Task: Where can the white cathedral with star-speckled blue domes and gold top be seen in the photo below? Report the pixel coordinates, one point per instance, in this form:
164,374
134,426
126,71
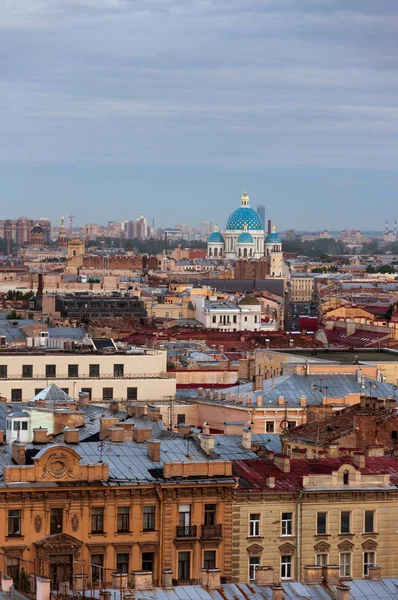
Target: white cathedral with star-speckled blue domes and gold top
244,238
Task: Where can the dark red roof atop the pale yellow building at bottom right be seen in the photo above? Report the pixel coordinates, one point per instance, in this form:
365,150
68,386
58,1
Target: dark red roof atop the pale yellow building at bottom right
253,473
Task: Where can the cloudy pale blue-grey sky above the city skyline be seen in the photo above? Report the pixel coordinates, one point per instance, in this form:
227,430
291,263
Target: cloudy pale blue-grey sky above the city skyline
171,108
